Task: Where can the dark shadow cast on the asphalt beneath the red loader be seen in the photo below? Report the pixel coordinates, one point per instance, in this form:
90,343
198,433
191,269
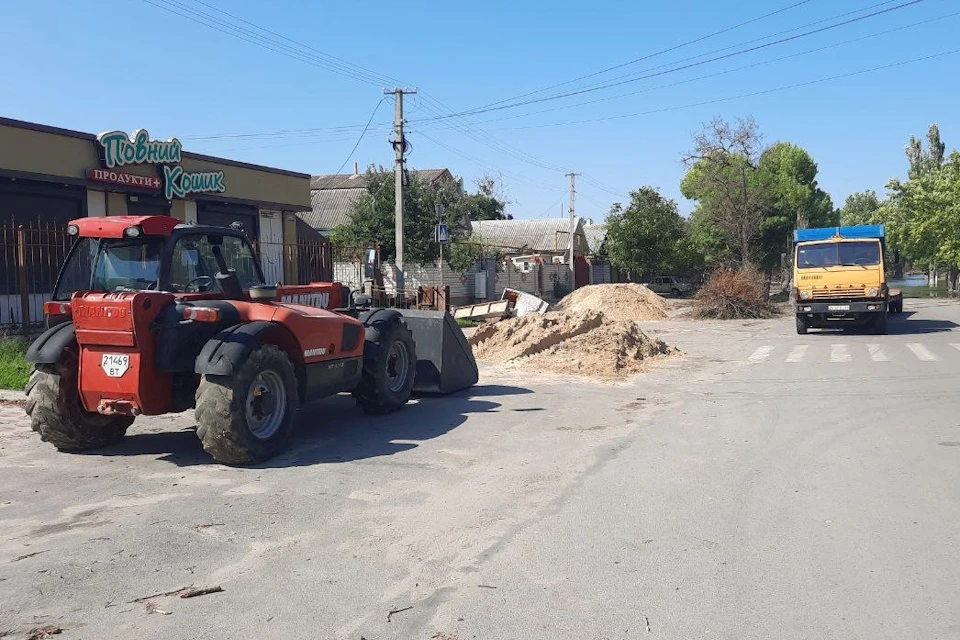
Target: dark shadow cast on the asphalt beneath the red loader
334,430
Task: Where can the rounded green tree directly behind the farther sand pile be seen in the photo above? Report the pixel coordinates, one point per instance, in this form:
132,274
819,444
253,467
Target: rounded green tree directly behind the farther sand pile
645,236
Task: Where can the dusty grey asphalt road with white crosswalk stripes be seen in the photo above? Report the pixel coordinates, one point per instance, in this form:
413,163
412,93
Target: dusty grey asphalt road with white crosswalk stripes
765,485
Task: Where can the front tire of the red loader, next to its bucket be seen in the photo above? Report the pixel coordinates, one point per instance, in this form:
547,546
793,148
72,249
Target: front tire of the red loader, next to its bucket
389,369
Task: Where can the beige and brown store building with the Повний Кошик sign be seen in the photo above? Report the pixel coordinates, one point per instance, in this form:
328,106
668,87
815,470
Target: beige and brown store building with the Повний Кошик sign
52,175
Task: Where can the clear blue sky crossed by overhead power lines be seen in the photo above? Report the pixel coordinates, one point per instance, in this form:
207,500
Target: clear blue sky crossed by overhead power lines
124,64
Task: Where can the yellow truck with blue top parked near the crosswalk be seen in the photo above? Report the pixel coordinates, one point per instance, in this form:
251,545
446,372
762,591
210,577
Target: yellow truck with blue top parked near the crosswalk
840,280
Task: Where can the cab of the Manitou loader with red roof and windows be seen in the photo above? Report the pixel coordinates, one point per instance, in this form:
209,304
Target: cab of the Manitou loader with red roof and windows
185,259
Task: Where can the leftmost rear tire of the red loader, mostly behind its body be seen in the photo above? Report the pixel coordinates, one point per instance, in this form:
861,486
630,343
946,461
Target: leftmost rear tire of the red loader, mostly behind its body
53,404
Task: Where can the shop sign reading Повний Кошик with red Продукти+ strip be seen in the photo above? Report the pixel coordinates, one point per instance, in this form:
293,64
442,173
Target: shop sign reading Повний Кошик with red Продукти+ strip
118,150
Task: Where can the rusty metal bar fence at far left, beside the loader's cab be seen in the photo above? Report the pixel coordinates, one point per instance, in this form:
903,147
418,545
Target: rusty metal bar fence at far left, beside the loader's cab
30,259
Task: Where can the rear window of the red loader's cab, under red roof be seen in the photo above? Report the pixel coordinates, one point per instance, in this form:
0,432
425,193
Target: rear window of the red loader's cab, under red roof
110,265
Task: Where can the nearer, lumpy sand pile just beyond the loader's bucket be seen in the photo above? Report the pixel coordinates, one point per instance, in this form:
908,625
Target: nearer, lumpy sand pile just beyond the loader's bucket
586,343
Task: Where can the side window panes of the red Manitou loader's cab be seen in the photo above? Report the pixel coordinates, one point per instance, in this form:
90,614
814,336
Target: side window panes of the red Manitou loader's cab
193,266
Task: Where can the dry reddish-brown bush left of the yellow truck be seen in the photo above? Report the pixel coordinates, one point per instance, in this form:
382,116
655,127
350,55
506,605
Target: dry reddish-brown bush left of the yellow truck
734,293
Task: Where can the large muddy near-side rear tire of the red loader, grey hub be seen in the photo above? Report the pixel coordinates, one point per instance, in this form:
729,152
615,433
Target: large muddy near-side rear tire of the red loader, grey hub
248,417
